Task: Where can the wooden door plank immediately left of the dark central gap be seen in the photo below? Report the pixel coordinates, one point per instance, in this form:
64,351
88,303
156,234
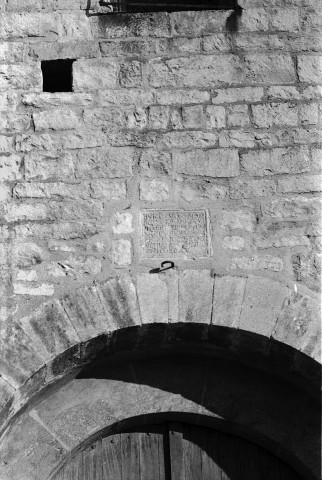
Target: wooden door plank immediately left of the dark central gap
151,454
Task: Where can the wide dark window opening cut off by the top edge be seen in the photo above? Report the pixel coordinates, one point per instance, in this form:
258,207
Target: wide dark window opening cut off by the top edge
136,6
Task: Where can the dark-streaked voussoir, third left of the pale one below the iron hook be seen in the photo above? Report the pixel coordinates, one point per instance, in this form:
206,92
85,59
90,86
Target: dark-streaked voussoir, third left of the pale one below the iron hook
50,329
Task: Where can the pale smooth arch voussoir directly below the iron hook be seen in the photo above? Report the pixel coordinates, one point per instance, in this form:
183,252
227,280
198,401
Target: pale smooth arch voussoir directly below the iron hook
153,297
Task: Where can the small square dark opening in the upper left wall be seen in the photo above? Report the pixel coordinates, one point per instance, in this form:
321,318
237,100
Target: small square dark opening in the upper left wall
57,75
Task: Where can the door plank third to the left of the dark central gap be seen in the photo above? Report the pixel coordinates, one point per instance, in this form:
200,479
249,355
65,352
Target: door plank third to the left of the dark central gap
111,458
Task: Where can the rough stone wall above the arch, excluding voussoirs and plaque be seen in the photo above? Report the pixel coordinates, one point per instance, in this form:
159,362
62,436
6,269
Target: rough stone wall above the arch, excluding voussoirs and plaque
169,111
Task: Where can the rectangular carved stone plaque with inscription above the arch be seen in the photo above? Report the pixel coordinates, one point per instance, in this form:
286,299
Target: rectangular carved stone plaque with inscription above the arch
174,234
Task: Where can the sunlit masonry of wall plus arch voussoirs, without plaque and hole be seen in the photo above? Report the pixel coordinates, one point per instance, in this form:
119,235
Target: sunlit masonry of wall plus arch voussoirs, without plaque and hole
167,112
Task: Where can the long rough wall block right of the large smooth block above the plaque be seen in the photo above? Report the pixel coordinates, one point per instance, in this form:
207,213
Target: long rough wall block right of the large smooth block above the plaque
276,161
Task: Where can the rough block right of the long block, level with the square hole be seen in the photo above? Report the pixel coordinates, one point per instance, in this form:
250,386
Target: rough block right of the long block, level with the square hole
269,68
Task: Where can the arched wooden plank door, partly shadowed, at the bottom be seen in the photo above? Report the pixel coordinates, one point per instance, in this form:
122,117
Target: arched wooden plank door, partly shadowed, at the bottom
174,451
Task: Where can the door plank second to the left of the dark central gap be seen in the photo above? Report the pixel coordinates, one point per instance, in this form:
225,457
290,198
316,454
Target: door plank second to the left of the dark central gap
130,456
